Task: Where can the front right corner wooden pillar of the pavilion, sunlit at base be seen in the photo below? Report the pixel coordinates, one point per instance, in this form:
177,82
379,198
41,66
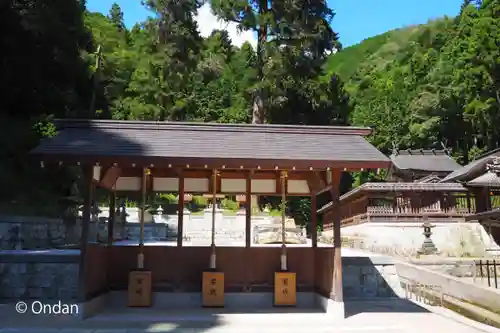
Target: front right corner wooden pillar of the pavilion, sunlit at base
337,259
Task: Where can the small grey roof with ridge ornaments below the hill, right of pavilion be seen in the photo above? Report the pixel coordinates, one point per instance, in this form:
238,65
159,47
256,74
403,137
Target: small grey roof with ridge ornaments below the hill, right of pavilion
424,160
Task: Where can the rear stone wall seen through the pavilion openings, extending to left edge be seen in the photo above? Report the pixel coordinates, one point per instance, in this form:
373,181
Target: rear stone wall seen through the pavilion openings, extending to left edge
45,233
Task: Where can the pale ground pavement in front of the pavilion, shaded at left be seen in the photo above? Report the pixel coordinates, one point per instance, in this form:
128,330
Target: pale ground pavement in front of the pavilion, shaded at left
364,317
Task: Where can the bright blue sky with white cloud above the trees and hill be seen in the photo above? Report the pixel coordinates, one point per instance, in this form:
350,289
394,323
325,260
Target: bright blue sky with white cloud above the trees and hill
355,20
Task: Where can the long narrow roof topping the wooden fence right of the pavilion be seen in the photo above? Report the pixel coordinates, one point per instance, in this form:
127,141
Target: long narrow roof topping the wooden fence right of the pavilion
396,187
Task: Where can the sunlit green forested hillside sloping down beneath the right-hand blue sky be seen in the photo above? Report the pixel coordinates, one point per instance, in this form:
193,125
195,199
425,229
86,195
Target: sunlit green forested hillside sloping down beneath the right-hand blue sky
422,85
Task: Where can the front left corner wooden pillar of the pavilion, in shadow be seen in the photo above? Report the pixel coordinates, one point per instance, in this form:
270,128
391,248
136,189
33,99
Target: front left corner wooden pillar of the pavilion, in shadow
84,237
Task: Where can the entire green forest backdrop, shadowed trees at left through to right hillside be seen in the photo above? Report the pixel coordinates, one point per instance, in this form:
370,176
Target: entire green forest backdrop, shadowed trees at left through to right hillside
416,86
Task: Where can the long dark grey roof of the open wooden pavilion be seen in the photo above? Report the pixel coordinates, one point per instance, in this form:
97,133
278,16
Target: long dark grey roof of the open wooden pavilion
245,145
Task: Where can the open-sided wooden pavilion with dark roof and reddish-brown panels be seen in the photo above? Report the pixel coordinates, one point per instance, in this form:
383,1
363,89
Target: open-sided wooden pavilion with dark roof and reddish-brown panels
210,158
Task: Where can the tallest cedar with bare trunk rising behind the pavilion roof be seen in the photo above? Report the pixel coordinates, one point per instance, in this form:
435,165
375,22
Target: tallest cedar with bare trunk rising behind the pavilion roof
290,22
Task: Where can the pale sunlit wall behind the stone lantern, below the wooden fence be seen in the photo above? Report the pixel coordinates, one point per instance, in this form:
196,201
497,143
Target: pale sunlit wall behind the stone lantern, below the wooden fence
406,238
